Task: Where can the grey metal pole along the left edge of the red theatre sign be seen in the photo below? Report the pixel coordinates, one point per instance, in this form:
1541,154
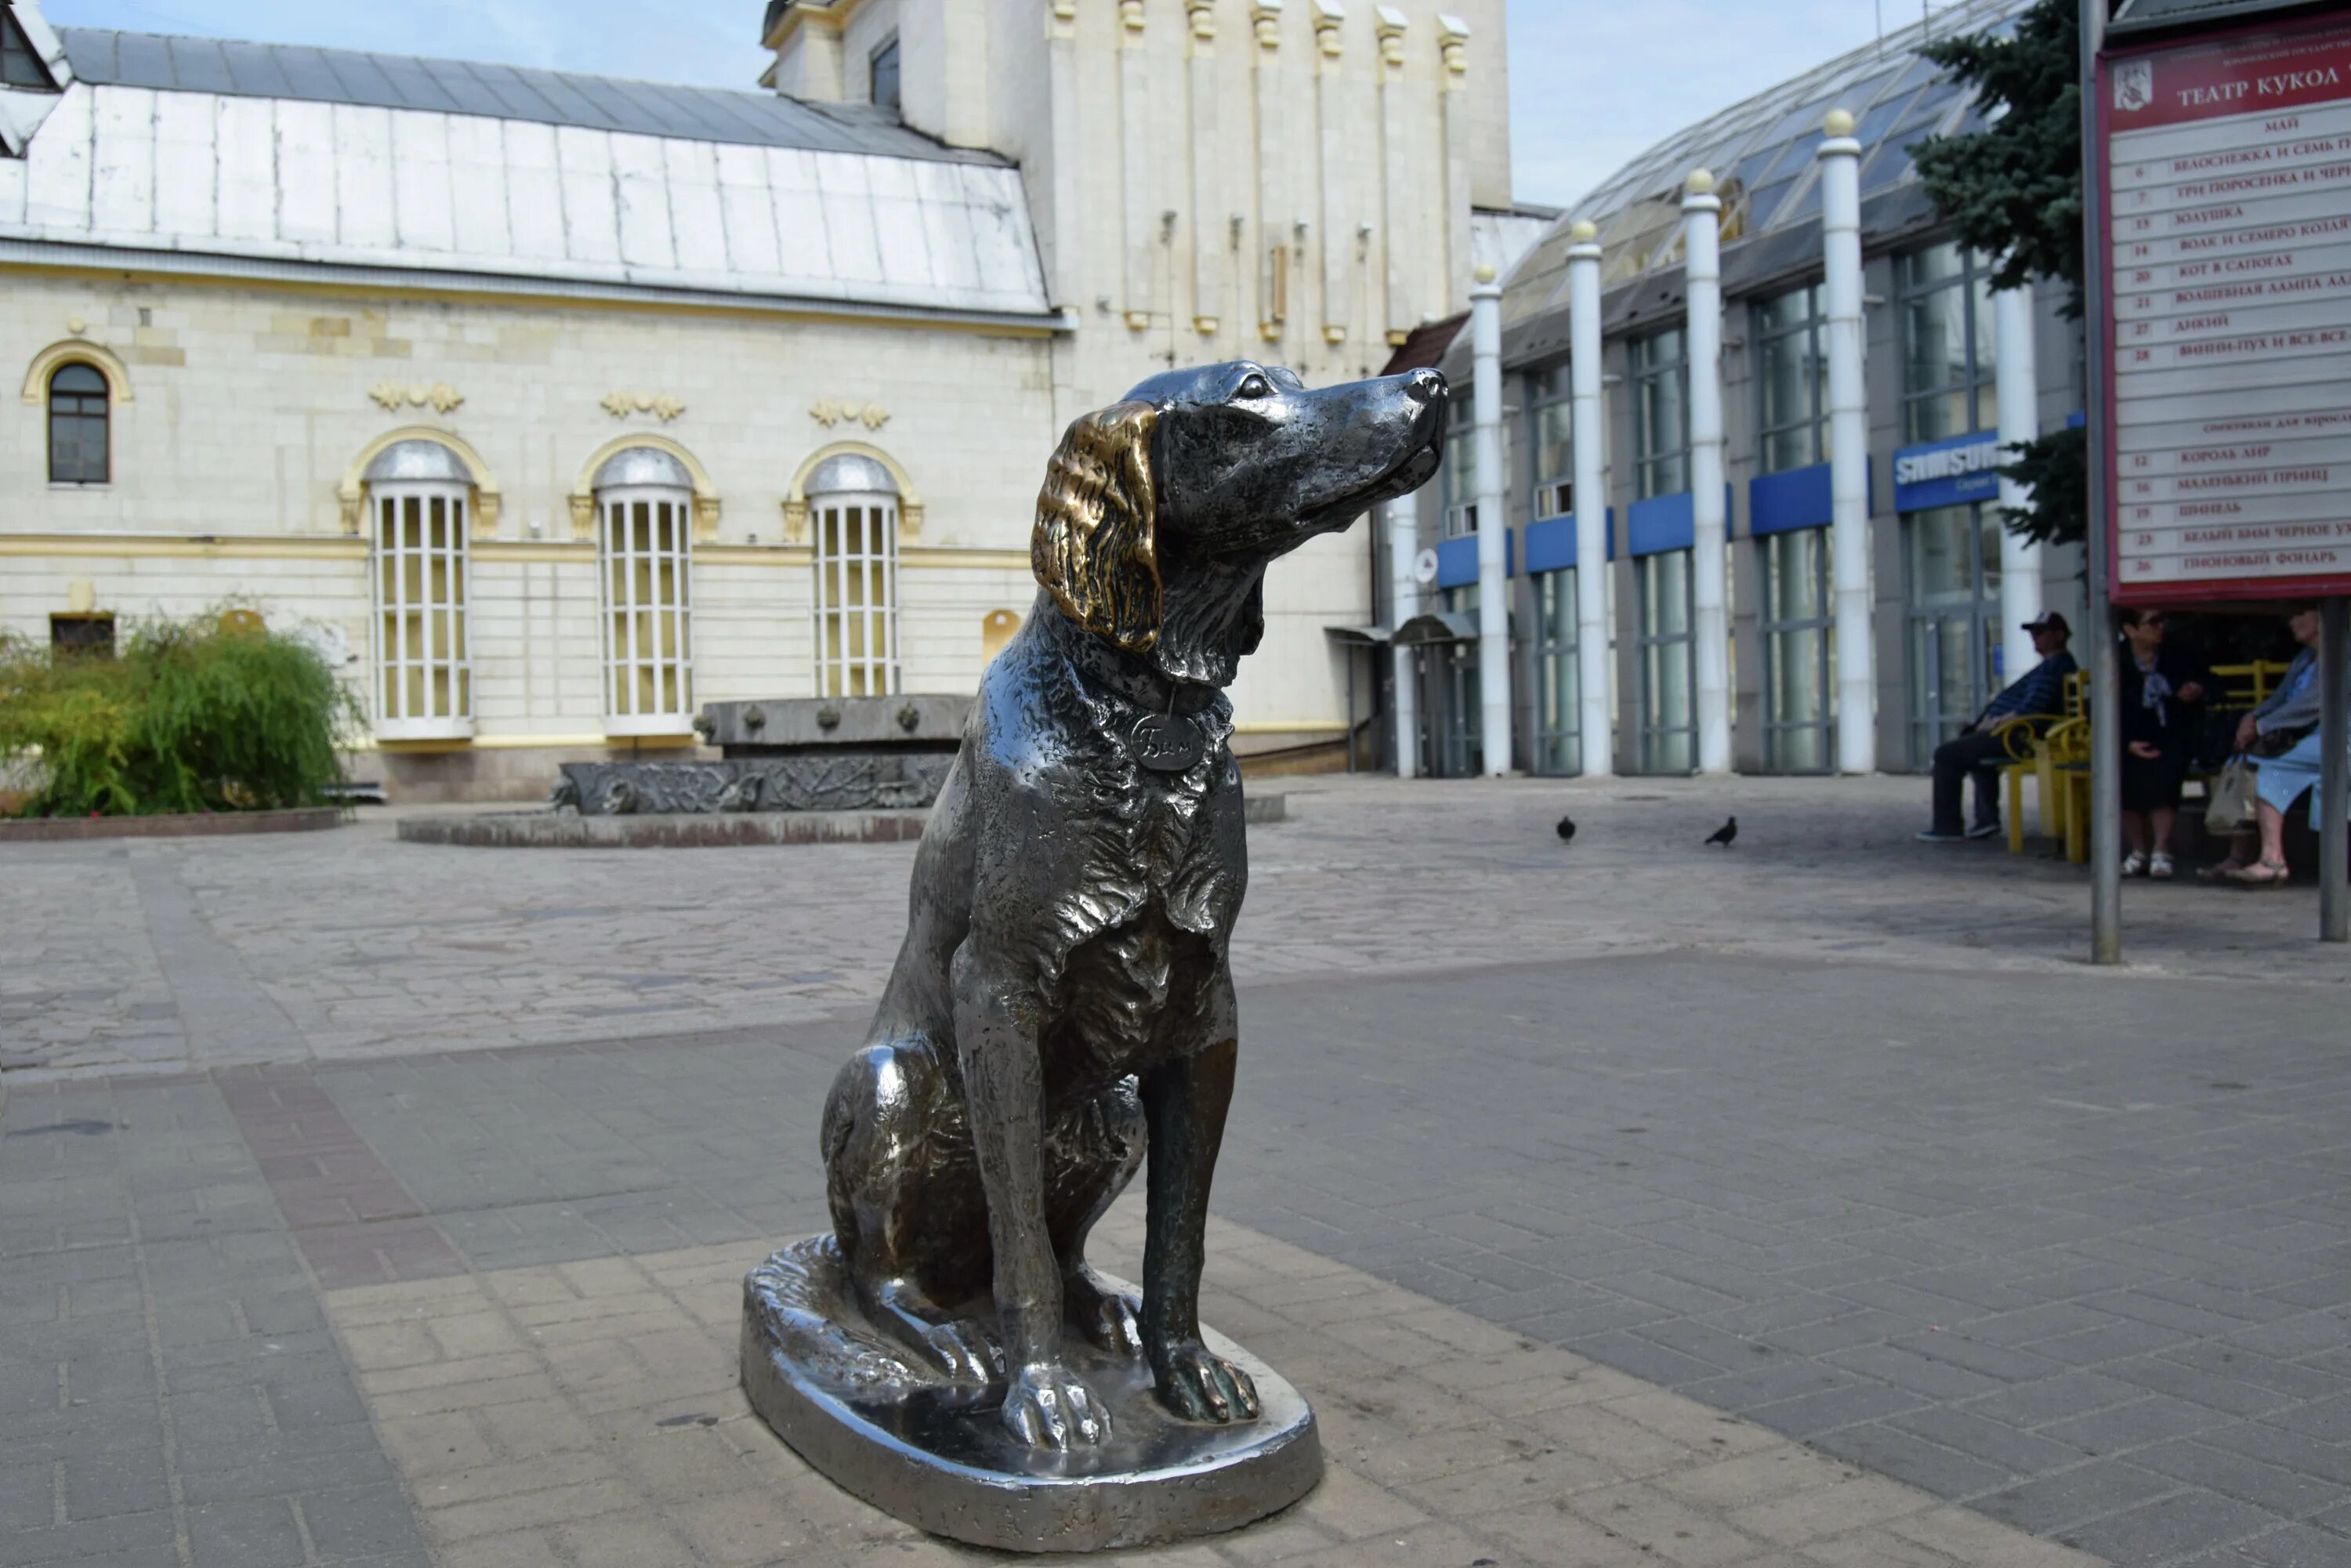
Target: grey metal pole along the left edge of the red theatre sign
2105,664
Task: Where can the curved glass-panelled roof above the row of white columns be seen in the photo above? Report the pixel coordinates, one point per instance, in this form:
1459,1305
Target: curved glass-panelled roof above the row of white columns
1764,156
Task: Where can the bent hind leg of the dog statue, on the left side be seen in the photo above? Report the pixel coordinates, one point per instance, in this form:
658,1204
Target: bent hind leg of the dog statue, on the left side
909,1209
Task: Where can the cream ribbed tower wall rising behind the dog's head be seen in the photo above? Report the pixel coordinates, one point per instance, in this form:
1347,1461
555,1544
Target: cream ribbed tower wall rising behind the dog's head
1000,93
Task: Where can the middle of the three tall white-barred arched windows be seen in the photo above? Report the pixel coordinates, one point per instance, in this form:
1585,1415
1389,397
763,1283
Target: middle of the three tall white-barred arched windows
645,509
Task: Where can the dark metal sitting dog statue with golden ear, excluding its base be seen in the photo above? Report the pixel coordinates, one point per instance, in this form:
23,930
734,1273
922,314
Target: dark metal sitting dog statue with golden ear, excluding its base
1064,1000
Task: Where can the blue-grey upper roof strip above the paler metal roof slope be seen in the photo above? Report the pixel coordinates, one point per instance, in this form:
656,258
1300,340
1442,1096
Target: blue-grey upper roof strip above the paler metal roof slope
497,93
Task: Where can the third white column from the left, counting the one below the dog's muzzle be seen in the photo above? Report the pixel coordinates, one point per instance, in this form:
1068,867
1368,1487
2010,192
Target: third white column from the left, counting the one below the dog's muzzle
1595,669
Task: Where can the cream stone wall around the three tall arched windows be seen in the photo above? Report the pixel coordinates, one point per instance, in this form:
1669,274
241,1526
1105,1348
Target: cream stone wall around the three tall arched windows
250,408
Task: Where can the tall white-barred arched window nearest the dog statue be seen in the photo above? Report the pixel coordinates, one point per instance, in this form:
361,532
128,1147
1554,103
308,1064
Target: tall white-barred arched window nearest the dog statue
855,523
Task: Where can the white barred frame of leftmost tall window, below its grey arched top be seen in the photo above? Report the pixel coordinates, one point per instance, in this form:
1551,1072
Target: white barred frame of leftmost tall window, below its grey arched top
401,622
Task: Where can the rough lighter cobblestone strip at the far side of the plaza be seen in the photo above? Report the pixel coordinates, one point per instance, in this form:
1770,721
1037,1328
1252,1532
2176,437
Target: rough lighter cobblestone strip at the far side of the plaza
351,944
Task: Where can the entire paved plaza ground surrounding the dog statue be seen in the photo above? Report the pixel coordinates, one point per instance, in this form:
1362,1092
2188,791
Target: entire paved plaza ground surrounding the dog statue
1823,1148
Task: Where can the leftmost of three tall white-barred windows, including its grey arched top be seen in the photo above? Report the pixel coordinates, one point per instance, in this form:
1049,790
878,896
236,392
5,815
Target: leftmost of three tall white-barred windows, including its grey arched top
420,497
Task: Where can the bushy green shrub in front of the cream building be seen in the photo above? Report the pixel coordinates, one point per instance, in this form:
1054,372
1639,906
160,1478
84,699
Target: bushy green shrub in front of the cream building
185,718
